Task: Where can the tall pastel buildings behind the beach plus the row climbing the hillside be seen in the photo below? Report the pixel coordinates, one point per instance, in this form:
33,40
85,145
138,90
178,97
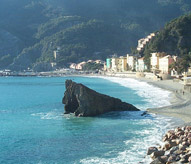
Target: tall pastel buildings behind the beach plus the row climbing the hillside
159,63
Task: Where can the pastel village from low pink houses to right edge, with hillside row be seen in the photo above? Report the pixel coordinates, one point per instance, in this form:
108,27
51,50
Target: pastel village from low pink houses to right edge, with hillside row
133,65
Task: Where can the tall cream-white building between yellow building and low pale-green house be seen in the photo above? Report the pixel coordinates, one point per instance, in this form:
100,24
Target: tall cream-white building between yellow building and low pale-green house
131,61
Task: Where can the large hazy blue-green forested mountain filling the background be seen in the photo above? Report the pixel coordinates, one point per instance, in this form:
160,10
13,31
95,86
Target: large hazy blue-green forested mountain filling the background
87,29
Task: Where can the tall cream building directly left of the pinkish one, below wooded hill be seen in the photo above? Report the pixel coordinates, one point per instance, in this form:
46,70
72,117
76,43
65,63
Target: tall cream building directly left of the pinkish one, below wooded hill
155,60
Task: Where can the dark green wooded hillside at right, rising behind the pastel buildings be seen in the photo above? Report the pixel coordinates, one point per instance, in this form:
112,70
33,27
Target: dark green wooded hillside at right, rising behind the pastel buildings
174,38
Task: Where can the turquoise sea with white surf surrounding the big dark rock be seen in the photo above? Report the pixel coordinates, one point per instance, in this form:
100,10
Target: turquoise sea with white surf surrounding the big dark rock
34,130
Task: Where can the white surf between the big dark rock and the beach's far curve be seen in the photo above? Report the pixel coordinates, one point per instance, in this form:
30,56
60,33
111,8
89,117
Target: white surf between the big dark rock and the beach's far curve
154,96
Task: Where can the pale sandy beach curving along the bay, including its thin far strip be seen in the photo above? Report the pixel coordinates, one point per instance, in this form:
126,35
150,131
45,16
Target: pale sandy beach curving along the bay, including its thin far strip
180,107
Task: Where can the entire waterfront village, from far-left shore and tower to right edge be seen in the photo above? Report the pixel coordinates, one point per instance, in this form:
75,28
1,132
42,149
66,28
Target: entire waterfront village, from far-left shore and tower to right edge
130,65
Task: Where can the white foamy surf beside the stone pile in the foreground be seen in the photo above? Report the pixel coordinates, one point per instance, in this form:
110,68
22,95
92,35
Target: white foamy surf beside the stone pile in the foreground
137,146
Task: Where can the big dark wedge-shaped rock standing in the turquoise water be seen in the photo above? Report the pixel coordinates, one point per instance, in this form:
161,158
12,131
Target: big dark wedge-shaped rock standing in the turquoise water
82,101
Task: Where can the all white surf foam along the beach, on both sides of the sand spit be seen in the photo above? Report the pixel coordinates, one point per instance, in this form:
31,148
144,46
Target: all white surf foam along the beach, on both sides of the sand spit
137,146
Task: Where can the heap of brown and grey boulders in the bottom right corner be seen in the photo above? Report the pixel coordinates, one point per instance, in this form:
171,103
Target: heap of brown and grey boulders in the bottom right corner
176,148
